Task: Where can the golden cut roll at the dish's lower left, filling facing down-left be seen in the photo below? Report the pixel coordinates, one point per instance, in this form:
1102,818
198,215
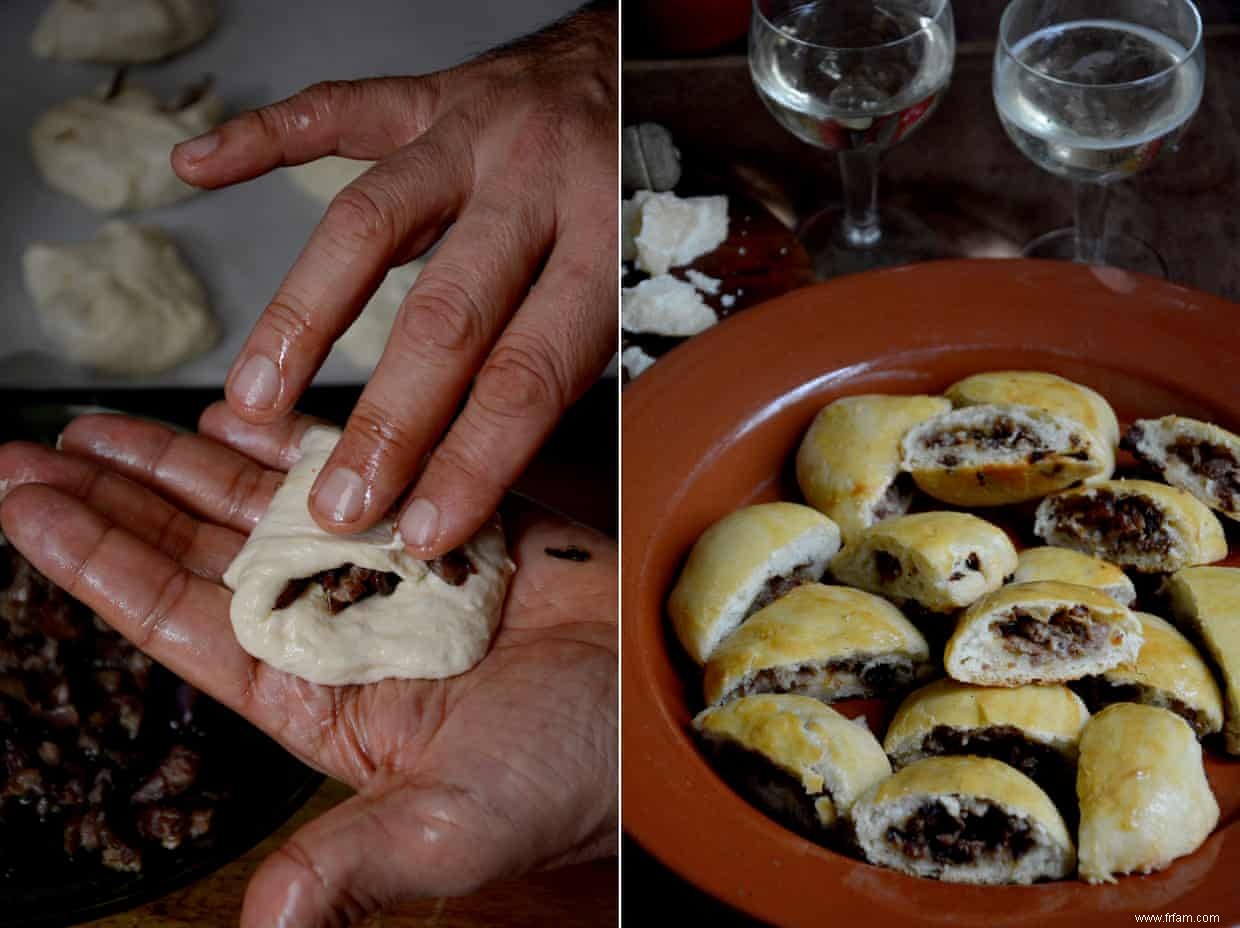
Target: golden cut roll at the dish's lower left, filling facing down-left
802,762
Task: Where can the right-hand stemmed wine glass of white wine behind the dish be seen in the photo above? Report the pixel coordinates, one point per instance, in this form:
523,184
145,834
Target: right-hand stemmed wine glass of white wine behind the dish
1094,91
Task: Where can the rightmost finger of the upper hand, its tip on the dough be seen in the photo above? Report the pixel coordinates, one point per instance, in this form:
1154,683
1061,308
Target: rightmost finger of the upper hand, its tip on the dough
556,347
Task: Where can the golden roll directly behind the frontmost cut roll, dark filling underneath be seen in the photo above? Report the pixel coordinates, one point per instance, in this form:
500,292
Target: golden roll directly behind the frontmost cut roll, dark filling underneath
1034,729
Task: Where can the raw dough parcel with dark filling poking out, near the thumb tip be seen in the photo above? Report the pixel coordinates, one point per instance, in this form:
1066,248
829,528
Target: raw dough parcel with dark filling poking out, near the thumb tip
112,153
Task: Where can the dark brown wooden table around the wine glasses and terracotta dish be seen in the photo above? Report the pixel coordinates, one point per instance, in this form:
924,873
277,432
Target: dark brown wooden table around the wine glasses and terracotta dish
965,177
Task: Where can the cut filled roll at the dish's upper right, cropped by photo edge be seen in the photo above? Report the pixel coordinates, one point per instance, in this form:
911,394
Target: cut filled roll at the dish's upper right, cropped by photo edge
1193,456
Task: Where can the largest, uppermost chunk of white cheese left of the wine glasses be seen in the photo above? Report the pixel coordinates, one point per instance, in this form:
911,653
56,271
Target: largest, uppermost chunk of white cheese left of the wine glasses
674,231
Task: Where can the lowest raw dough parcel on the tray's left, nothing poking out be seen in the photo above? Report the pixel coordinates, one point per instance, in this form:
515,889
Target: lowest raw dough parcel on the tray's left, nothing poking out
125,303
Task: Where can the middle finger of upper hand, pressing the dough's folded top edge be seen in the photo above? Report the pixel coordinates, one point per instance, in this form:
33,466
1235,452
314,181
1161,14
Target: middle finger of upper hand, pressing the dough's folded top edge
446,327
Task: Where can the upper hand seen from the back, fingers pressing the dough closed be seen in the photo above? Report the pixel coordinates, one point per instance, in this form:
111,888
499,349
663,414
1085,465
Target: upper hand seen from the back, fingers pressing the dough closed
516,153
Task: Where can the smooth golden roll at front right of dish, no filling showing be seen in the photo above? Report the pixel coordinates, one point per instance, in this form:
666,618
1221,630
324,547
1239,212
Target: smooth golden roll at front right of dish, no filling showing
1143,790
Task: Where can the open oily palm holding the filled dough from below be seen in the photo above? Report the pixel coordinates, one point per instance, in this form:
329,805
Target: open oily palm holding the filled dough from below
509,767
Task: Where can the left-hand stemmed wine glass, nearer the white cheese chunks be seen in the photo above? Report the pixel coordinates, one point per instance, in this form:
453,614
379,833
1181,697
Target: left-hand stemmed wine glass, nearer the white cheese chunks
854,78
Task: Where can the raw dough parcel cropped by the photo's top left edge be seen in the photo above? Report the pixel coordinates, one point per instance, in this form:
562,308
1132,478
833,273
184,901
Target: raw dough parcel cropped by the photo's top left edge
121,32
